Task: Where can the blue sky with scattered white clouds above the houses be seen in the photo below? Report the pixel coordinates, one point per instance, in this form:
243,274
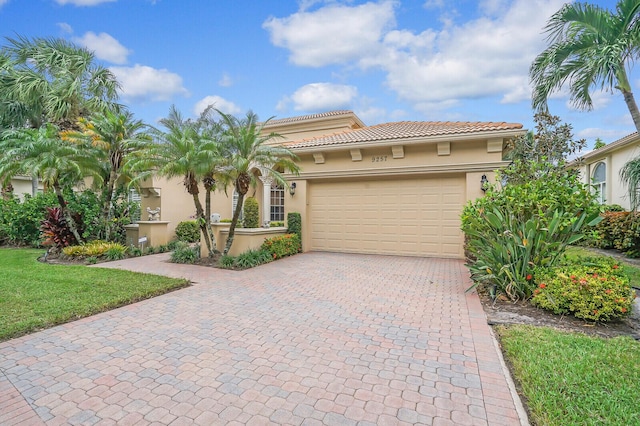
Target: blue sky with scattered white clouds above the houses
387,60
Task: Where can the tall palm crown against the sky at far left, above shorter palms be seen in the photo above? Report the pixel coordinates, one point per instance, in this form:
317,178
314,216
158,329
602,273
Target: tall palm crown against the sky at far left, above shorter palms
49,80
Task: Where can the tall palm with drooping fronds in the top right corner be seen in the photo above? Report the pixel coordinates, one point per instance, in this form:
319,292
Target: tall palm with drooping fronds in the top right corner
590,46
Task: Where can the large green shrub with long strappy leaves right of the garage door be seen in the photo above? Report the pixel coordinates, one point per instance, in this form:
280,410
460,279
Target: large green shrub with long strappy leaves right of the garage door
512,230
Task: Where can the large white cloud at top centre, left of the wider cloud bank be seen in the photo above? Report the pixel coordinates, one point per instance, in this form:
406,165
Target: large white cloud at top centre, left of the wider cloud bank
334,34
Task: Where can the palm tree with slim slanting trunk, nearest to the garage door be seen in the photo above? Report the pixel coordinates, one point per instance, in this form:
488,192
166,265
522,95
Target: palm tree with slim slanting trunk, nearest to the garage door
245,148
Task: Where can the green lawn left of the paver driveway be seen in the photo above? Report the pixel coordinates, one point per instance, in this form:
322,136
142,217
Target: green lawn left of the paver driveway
35,295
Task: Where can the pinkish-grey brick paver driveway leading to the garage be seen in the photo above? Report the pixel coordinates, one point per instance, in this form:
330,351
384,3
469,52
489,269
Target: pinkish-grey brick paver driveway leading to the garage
318,338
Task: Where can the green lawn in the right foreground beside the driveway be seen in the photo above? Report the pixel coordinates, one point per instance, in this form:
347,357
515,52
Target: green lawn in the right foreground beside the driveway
573,379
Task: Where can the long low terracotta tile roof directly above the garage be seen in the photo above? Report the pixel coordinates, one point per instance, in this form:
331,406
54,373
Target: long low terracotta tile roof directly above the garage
404,130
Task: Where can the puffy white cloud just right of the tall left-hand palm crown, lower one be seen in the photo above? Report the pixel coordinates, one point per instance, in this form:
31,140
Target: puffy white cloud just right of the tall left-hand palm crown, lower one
143,83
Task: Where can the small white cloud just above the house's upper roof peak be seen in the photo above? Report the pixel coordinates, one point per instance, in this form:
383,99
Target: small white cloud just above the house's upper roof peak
323,97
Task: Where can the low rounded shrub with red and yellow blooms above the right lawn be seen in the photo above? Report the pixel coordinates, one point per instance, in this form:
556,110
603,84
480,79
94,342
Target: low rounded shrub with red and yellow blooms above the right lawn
592,293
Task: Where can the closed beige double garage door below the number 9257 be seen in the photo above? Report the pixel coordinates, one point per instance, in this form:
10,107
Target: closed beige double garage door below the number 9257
415,217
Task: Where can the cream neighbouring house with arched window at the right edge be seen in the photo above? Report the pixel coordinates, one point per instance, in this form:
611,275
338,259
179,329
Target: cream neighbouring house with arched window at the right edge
601,168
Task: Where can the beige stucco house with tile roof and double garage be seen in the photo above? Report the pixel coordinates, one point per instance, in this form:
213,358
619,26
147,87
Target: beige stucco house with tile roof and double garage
393,188
